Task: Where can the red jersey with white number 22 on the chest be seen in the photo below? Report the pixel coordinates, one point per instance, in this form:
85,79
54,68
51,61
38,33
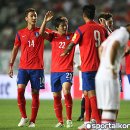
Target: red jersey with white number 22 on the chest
59,43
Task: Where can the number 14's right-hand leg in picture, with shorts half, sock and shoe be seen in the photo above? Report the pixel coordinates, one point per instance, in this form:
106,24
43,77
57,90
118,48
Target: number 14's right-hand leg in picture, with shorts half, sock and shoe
37,83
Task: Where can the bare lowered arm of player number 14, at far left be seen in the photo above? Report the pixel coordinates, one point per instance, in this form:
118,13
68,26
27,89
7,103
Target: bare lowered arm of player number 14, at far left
12,59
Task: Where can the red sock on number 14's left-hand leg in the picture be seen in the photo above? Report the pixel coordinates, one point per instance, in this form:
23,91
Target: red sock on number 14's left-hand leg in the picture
22,102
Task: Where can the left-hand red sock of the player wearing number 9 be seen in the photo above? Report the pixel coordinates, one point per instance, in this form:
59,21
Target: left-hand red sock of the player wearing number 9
87,108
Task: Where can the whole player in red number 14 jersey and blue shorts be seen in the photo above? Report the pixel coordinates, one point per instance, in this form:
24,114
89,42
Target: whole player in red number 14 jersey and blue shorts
30,67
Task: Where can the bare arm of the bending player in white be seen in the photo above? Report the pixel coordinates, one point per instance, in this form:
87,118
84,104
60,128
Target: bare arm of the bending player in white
113,55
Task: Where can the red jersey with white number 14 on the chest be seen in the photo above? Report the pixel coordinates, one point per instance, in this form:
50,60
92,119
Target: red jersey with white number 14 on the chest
32,47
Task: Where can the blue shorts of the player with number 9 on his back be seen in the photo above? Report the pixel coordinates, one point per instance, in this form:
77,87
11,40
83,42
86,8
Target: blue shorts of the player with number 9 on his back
88,80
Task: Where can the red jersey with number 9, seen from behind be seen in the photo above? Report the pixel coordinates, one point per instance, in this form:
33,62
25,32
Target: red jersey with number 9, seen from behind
89,36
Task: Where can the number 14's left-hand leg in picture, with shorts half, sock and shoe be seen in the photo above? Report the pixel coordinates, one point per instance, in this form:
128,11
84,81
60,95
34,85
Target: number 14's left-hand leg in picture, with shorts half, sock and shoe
21,83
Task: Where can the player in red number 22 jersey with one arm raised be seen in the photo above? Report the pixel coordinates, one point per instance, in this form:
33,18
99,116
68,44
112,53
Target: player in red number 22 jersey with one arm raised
61,67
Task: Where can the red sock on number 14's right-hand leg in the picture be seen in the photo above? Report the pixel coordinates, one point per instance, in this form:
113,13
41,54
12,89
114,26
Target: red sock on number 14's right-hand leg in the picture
35,106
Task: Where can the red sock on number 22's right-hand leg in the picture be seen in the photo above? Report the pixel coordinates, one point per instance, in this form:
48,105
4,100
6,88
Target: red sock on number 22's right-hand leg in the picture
68,104
